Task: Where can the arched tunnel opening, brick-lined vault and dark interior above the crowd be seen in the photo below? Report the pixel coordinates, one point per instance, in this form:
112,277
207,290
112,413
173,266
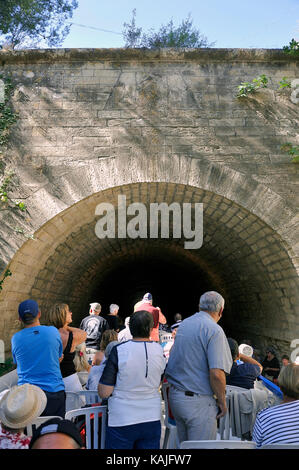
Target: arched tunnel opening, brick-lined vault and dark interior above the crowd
242,258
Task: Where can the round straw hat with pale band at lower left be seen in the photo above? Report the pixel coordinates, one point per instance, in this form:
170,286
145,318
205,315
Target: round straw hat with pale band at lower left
21,404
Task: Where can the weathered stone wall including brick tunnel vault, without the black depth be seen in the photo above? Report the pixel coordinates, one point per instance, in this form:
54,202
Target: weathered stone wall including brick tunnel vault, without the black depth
156,126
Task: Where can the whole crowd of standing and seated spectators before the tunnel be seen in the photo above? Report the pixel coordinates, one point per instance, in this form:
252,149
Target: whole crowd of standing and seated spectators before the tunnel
126,362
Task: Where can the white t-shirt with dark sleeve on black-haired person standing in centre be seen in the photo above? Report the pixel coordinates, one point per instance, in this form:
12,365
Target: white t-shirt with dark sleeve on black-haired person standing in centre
134,368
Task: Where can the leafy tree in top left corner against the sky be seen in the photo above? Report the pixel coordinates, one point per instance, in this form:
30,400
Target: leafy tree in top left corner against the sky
29,23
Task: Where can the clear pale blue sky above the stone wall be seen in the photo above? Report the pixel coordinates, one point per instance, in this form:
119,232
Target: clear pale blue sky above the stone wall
230,23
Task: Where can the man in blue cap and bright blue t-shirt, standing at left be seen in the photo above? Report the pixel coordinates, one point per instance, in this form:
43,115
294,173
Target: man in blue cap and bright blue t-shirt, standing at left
37,351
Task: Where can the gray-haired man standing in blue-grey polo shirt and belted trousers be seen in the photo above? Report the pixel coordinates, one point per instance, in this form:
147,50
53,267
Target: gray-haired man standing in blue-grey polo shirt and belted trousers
199,360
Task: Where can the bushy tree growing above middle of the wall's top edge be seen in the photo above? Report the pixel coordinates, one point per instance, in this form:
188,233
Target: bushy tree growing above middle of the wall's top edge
185,35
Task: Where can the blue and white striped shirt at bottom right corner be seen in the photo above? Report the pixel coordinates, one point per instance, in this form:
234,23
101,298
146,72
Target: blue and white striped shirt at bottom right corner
278,423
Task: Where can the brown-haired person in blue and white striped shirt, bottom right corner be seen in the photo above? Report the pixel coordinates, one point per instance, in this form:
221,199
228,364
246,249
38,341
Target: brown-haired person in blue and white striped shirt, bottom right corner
280,424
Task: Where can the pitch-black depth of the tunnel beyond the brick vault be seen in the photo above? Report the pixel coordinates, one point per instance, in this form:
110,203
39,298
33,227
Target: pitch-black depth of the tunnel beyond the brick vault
175,286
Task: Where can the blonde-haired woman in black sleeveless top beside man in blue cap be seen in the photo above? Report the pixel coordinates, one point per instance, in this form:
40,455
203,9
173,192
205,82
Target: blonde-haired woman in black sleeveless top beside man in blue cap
60,316
